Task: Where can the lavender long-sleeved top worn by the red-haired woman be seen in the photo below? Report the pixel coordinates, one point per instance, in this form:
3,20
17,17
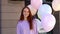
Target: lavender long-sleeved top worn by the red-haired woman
23,27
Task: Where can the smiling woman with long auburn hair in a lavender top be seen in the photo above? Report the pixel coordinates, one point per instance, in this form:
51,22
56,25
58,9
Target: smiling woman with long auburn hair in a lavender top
26,24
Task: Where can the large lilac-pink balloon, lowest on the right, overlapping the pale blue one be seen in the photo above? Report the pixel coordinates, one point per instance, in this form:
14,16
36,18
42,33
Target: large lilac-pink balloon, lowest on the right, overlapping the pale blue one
48,22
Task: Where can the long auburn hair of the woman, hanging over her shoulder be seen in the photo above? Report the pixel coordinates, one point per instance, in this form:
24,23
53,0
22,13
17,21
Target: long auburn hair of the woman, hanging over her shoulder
29,18
